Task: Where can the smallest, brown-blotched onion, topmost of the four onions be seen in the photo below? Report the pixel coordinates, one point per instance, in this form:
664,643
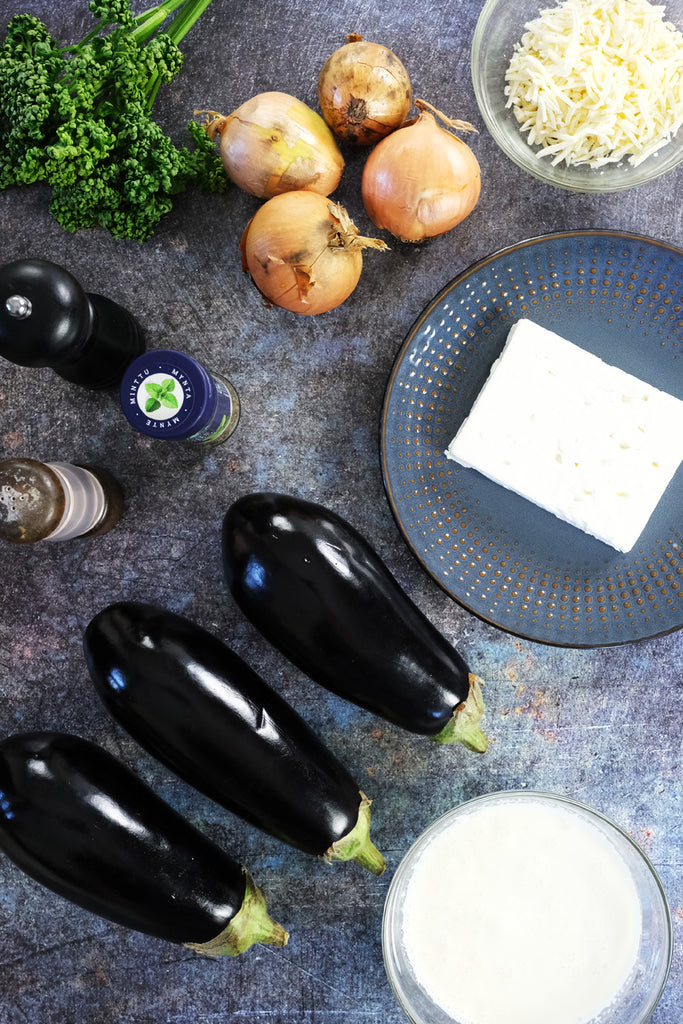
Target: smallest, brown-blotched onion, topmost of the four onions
364,92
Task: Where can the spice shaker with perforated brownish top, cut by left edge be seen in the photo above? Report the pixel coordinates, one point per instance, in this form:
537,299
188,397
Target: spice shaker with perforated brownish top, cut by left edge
56,501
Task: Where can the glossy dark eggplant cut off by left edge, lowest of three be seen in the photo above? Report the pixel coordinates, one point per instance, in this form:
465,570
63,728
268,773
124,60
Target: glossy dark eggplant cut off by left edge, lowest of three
79,822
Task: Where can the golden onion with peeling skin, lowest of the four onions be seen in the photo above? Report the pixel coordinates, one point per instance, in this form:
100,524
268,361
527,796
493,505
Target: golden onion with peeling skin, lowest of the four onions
304,252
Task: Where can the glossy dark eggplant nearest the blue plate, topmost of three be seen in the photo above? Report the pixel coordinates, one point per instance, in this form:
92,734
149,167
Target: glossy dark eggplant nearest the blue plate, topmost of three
319,592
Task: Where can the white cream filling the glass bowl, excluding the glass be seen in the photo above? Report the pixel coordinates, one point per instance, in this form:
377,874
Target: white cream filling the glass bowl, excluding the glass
522,914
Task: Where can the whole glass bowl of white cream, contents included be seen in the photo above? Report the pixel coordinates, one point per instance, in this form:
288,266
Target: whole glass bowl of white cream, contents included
525,908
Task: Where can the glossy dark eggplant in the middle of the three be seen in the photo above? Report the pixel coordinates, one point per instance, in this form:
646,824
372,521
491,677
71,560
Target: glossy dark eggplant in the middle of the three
202,711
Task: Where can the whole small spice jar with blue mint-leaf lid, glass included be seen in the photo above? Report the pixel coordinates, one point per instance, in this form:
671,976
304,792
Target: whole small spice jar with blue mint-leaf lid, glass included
172,397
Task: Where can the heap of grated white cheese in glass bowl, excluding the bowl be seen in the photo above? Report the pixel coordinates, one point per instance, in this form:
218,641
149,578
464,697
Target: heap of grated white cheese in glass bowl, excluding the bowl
599,81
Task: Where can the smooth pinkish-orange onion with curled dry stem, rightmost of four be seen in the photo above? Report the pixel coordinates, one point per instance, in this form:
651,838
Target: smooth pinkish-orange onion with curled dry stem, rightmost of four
421,181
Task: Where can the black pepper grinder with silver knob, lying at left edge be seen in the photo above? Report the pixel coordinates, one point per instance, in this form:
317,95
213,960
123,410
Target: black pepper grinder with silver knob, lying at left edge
48,320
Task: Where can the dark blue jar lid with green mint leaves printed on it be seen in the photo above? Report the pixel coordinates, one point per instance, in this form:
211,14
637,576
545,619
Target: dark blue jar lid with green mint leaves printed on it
167,395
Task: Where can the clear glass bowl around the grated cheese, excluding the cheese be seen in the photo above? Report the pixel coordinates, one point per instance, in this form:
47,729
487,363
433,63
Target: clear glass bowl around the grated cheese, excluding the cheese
500,27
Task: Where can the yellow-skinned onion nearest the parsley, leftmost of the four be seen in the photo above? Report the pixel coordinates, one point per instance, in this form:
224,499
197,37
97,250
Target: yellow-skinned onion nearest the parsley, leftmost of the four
276,144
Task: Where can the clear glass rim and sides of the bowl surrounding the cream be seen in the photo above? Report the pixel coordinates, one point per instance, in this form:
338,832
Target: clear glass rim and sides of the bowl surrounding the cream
639,995
